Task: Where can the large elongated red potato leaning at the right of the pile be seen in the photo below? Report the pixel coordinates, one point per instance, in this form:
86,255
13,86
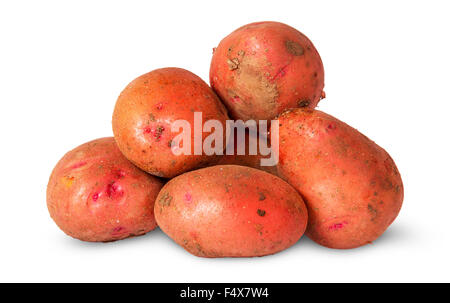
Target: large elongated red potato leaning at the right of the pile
351,186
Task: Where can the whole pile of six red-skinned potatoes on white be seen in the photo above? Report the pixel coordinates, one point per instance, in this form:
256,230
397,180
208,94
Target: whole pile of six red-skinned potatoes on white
331,182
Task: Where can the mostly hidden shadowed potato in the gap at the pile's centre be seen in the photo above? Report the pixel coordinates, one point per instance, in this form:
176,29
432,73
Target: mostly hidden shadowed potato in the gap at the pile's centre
247,159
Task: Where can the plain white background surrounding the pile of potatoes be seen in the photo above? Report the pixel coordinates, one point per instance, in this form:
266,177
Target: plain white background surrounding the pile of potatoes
63,64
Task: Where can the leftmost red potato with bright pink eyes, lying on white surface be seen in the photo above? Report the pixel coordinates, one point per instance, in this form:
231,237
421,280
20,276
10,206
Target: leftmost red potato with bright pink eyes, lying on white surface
96,194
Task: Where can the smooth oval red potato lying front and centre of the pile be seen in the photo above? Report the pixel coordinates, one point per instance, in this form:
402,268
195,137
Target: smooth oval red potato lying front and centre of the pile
231,211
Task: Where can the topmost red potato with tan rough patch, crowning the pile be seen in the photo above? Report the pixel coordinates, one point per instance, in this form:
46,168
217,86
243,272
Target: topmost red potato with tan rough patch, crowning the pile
263,68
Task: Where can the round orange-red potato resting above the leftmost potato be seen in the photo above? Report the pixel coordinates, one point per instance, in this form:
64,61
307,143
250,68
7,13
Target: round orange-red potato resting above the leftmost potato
146,110
